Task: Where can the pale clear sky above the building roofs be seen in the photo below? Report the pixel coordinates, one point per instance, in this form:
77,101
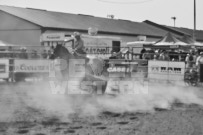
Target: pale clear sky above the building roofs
158,11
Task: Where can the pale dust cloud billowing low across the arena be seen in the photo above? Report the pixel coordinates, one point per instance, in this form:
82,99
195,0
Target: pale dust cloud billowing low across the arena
35,101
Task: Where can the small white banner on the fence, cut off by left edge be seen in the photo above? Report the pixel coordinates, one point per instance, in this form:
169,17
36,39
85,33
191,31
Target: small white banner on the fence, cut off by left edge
4,68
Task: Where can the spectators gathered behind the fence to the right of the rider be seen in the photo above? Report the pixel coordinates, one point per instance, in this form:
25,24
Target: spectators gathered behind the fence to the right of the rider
192,58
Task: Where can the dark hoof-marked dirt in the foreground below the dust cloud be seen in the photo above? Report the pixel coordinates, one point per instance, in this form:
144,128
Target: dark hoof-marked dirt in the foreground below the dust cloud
180,119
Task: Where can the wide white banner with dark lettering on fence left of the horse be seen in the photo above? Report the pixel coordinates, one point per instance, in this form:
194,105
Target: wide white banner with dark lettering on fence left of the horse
31,66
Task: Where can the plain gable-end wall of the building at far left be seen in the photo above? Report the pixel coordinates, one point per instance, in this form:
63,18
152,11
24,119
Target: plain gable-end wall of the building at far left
16,31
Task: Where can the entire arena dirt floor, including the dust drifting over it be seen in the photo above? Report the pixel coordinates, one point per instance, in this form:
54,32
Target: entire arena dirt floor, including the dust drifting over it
31,109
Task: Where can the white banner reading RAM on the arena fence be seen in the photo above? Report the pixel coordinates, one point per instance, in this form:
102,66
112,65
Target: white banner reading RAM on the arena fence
166,70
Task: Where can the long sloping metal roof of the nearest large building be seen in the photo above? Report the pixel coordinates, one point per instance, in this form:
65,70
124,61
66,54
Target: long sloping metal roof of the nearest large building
60,20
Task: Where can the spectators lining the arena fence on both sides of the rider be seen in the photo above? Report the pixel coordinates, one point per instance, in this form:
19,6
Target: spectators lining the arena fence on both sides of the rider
192,58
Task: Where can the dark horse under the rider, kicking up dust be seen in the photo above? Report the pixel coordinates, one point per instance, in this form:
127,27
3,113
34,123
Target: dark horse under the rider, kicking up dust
90,72
